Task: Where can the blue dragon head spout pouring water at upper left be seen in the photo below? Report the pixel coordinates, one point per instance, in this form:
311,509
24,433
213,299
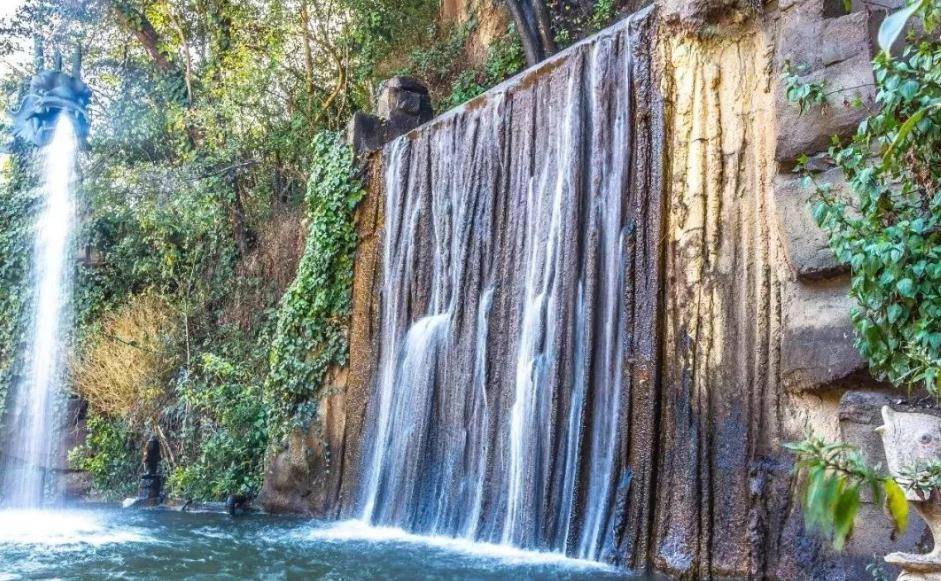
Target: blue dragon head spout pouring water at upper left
52,93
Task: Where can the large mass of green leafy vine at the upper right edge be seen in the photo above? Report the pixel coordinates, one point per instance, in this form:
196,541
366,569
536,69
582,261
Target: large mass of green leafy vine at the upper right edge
889,231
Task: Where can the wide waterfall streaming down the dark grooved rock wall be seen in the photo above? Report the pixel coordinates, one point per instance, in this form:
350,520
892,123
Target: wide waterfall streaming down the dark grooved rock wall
520,257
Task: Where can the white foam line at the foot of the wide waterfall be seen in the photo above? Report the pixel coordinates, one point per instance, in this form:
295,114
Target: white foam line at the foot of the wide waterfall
357,530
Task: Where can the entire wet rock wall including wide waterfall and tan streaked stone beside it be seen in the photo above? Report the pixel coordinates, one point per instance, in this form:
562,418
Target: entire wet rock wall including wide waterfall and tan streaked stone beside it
529,337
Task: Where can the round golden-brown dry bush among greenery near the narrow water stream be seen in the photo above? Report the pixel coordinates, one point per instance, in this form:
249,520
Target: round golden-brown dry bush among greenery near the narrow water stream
124,370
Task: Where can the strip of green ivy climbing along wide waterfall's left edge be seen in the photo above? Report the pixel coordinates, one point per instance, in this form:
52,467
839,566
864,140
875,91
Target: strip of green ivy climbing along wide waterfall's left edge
311,332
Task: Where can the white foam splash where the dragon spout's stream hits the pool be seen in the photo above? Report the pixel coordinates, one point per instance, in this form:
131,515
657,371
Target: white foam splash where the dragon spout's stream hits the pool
61,528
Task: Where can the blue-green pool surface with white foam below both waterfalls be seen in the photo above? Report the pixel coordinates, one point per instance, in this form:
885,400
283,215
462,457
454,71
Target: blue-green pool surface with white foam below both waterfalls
110,543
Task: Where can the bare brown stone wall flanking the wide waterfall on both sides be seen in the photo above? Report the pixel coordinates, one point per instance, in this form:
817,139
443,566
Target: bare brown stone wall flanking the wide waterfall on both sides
756,340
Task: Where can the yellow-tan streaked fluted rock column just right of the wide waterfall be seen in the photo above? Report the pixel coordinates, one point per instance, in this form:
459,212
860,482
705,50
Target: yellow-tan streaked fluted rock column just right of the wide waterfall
722,317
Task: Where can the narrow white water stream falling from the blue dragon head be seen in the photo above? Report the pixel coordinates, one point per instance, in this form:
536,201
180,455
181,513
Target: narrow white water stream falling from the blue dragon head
30,446
